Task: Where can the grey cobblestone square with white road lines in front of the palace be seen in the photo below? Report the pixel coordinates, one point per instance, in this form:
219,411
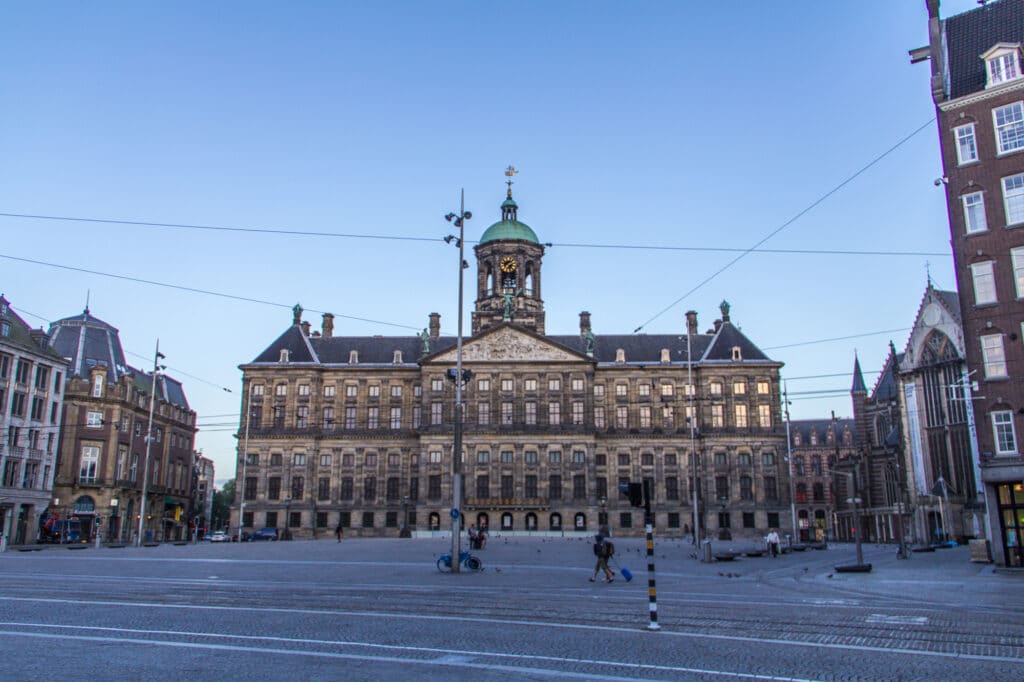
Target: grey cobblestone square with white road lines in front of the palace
380,610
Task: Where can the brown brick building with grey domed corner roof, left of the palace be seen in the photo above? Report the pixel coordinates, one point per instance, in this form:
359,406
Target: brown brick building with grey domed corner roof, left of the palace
104,440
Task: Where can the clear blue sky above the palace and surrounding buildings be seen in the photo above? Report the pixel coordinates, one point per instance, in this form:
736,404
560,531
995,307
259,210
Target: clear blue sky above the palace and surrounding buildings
673,124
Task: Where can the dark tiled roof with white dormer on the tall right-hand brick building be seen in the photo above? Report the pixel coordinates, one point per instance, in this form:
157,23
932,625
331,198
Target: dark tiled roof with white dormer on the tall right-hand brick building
971,34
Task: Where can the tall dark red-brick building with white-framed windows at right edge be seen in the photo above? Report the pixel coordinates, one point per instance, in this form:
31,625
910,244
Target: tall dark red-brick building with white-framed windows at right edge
977,84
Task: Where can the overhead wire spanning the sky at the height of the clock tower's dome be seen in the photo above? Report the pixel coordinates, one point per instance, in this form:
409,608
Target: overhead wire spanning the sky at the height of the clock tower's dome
400,238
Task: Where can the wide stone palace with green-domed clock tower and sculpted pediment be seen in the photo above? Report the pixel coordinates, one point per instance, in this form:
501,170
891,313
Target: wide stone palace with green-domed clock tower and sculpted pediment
359,432
